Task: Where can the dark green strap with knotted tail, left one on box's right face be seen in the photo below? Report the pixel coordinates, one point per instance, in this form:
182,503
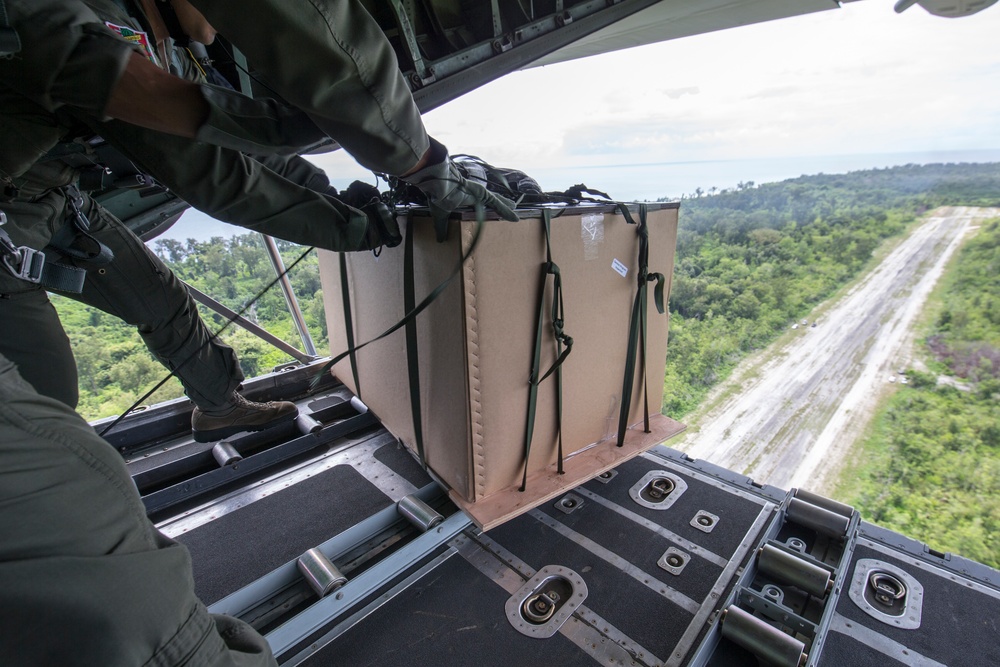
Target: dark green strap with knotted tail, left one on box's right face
556,318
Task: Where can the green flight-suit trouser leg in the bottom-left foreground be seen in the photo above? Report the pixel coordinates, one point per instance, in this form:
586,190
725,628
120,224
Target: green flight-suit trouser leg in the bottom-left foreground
85,578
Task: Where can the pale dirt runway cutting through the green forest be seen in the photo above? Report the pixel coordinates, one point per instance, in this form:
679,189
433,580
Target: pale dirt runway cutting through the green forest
789,414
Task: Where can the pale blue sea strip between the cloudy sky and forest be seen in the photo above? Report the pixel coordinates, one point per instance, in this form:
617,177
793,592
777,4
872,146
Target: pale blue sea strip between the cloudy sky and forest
649,182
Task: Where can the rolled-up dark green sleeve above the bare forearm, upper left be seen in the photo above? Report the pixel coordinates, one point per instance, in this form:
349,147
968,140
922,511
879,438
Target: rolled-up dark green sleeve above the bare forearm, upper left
67,55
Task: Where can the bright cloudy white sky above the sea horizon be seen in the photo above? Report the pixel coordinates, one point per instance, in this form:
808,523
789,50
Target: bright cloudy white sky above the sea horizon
861,79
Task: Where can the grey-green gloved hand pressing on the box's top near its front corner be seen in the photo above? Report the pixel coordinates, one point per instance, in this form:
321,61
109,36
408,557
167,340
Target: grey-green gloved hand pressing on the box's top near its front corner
447,190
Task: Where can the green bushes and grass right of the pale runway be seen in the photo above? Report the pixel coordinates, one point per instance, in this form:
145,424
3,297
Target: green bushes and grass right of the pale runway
930,468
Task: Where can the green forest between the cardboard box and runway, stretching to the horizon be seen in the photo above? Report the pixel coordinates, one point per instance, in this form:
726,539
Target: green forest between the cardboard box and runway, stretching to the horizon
753,260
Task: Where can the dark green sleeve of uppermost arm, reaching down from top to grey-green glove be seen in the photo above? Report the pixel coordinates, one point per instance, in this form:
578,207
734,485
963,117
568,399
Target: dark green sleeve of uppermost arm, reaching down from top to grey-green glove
332,60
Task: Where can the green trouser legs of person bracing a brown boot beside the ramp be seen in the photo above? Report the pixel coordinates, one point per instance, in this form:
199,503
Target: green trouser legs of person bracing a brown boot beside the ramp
136,287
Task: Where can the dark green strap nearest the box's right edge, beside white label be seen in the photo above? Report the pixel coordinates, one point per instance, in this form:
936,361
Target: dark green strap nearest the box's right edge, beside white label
637,324
